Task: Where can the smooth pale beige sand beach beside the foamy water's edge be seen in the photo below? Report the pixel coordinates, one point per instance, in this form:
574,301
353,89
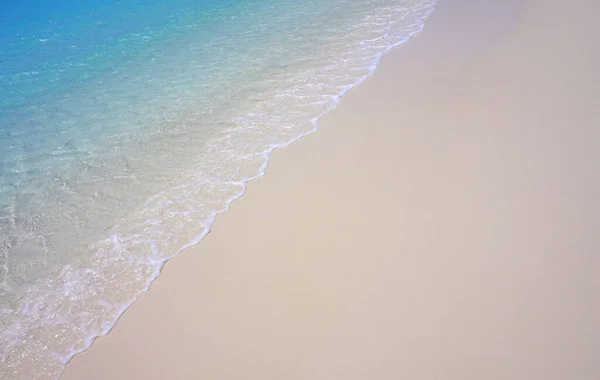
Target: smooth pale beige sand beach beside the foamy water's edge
444,223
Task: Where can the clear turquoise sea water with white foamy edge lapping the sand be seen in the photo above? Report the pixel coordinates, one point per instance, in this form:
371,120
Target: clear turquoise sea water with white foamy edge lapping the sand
127,126
